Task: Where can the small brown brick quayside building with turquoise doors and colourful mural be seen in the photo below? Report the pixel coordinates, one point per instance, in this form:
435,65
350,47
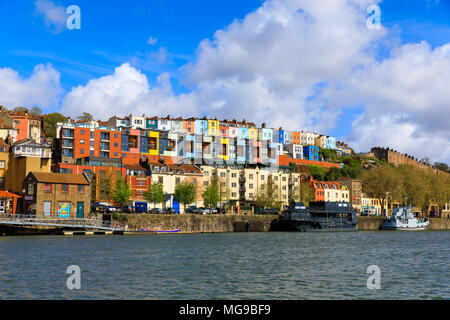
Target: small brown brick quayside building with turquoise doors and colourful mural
56,195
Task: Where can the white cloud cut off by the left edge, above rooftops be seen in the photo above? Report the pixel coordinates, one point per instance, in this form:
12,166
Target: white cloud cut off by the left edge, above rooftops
42,88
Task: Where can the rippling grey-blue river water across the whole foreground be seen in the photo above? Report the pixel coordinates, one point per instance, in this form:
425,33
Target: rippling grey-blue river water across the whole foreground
273,265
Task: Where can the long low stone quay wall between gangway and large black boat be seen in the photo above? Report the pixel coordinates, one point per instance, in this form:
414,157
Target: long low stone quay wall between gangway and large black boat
192,223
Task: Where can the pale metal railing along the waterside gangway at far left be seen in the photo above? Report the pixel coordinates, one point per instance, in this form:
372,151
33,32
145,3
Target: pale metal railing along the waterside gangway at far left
23,219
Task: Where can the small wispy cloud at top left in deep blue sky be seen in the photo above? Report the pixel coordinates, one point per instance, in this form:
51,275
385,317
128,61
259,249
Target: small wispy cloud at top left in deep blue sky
54,16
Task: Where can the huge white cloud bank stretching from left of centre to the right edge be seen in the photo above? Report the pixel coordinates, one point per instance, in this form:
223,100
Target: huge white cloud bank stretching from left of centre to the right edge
296,63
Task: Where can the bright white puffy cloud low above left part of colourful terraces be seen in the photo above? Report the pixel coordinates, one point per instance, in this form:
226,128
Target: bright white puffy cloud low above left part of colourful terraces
127,91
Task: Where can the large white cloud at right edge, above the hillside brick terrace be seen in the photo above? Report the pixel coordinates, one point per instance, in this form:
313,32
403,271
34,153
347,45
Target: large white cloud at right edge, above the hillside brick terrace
406,99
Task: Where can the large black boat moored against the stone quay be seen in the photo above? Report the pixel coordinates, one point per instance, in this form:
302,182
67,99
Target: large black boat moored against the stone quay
320,216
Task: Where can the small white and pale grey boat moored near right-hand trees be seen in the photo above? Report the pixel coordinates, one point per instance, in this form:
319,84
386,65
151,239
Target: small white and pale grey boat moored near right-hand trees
403,219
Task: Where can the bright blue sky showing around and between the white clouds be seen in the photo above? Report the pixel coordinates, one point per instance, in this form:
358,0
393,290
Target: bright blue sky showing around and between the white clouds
115,32
